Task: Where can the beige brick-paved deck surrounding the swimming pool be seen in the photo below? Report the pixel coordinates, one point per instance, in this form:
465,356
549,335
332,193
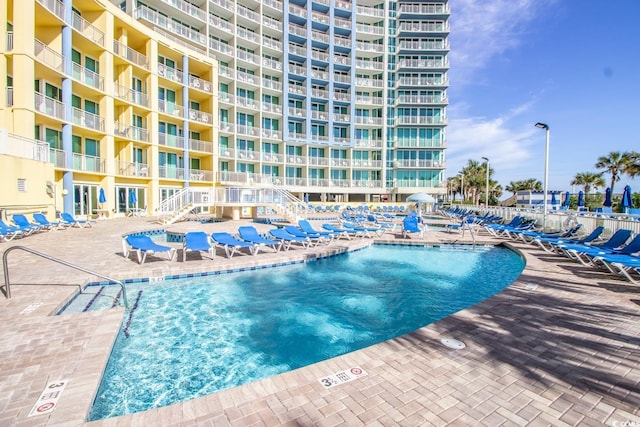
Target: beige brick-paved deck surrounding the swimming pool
558,347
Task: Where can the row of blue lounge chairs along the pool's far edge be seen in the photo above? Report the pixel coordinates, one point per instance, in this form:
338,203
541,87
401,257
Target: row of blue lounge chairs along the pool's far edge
248,238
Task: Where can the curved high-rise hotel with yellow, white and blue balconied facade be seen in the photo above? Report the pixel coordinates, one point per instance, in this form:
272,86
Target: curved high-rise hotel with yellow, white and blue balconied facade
106,104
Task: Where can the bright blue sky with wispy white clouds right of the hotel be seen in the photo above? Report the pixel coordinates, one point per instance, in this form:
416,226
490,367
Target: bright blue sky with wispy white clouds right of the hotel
573,64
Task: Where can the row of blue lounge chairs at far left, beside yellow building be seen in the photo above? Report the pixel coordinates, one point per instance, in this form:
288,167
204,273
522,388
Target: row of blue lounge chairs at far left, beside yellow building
22,226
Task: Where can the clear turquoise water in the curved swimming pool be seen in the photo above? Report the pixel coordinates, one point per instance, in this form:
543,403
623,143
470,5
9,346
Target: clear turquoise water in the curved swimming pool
192,337
